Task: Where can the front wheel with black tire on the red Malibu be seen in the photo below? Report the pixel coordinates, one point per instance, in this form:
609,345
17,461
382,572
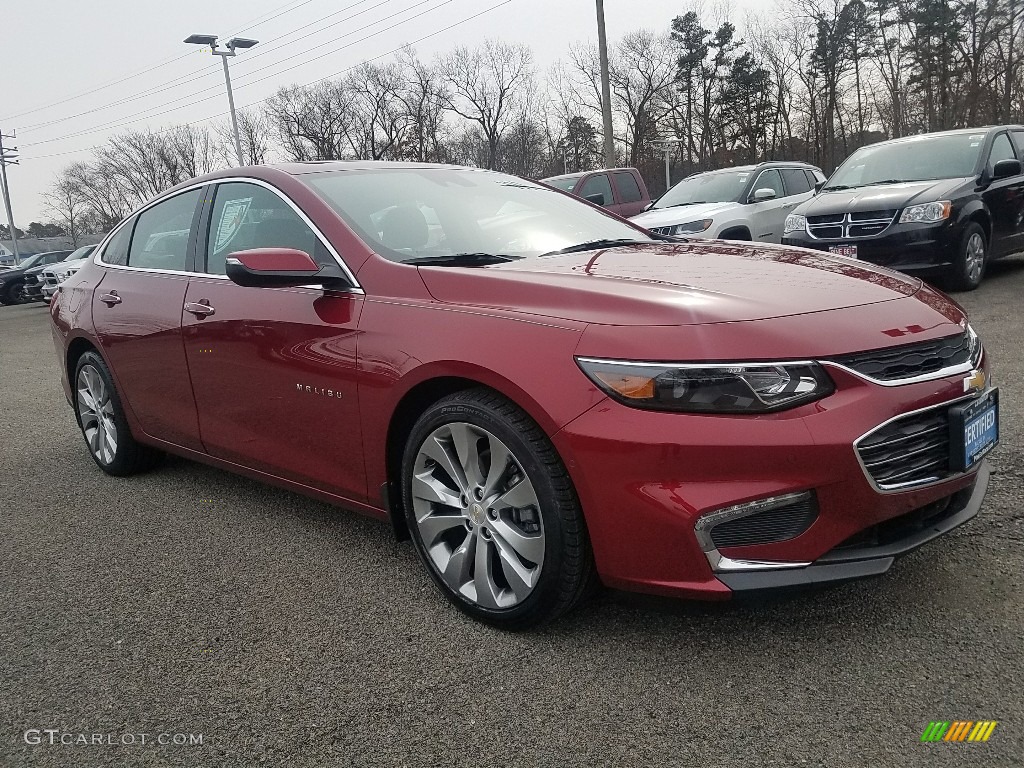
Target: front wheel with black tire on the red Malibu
493,513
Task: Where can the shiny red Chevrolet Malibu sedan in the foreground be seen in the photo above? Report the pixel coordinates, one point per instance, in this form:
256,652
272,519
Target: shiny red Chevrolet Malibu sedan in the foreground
537,393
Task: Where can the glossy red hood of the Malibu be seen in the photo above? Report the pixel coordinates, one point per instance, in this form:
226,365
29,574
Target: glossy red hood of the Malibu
665,284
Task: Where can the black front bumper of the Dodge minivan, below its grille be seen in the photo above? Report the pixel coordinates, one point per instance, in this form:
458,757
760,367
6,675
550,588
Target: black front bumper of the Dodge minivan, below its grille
909,248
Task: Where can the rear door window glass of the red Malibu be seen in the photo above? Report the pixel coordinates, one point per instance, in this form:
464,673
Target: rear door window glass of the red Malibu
161,238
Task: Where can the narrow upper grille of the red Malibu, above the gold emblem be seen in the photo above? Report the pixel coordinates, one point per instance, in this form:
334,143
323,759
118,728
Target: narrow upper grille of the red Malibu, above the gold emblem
897,364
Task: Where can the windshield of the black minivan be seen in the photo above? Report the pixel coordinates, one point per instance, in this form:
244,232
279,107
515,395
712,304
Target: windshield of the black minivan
924,159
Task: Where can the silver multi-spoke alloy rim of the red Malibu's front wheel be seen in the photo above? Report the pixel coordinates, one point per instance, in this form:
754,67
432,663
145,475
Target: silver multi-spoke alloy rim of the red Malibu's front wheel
478,516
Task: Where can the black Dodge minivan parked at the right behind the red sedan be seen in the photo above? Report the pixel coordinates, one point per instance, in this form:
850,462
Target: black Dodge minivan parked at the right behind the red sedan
942,205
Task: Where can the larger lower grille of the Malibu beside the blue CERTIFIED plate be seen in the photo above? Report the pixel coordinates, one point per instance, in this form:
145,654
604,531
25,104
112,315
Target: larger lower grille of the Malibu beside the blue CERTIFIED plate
908,452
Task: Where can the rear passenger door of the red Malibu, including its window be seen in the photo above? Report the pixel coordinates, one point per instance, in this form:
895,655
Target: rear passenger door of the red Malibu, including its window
137,311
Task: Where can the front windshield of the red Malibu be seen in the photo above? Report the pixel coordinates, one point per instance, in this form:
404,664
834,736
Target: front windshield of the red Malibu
406,215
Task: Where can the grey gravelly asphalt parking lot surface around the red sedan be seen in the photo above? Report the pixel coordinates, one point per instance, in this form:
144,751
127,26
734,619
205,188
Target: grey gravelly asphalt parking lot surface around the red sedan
286,632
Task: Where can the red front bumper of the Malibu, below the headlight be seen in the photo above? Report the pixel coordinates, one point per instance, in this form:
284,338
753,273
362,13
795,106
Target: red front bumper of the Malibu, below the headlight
648,480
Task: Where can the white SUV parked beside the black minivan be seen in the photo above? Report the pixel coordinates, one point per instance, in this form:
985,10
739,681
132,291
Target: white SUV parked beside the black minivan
744,203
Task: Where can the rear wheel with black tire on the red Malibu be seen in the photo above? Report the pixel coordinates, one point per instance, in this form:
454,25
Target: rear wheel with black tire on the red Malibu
102,419
